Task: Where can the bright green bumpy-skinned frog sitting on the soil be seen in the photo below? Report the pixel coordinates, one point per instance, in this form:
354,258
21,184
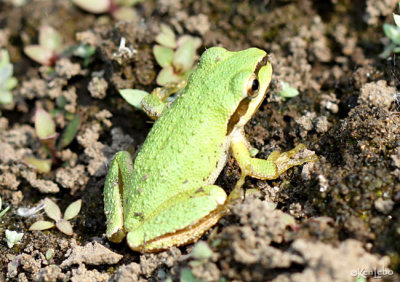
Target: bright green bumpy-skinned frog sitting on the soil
169,188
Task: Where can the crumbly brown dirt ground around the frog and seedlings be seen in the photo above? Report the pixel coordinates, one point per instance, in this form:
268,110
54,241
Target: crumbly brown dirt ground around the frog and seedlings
335,220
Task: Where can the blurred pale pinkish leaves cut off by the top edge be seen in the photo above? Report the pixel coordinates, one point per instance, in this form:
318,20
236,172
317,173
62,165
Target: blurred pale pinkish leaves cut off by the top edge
119,9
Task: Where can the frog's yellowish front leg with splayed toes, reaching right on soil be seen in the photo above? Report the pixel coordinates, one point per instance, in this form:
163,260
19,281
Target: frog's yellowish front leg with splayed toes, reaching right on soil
271,168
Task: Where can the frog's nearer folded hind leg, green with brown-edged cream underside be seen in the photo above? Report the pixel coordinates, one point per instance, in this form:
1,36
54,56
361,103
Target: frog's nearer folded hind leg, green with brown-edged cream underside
180,220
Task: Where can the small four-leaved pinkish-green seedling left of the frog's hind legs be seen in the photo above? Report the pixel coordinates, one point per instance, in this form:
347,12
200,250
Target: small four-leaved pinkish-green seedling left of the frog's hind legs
62,223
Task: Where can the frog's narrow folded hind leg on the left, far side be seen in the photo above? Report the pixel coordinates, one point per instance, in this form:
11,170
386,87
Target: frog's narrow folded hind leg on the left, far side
121,165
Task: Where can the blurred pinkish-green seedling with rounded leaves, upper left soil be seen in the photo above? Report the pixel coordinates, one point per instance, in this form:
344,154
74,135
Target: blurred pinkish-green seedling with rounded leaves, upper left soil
49,48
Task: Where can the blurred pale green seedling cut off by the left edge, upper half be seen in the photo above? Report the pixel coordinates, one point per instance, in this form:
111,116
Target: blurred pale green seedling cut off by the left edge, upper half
7,81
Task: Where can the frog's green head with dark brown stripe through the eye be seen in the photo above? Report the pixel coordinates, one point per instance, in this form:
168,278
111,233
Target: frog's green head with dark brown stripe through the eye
242,81
